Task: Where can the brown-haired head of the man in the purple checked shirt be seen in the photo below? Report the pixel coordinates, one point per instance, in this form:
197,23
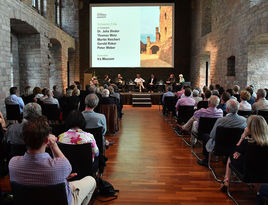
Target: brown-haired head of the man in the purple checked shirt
35,133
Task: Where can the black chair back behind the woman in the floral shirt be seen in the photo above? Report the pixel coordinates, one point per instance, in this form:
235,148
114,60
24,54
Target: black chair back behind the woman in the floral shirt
80,157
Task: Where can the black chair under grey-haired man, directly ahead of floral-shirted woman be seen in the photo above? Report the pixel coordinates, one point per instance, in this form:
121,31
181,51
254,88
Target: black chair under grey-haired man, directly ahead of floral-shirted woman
97,133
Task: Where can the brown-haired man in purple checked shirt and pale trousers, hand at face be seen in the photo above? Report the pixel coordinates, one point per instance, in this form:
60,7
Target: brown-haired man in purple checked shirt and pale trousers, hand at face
36,167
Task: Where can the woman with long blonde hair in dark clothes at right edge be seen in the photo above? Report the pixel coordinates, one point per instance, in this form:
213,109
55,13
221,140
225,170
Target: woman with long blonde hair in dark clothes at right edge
256,132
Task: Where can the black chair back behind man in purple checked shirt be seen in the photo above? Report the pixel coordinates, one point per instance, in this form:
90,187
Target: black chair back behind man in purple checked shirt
39,194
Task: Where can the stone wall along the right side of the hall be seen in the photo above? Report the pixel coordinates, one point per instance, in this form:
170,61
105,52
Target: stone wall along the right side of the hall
233,26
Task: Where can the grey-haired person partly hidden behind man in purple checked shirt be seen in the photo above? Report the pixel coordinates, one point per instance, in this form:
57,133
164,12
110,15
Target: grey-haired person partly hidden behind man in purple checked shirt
14,131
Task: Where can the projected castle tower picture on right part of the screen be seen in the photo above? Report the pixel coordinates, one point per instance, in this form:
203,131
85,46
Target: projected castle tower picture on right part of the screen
156,37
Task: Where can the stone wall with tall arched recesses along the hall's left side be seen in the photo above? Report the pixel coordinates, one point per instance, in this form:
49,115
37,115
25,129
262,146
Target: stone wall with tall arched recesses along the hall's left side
34,67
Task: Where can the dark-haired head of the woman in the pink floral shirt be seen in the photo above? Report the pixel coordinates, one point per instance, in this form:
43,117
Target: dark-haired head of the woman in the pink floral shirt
75,119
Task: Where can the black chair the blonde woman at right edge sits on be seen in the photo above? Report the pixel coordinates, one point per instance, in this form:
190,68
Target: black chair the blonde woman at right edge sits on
255,167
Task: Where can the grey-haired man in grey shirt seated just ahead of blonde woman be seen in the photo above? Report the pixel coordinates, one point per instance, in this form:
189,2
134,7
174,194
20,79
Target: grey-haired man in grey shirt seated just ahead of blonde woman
231,120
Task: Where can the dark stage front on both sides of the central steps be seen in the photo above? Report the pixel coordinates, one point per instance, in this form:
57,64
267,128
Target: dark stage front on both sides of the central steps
127,97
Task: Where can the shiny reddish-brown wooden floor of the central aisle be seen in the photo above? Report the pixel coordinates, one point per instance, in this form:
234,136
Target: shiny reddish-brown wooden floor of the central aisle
150,164
